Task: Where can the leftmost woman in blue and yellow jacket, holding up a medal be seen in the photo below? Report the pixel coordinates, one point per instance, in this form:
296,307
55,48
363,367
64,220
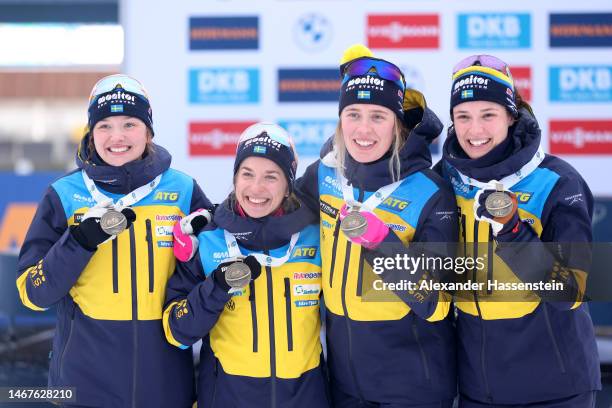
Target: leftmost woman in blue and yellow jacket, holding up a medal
109,284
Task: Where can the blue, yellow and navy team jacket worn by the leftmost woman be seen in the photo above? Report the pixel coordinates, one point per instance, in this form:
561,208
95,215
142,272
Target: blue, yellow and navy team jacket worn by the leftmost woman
109,341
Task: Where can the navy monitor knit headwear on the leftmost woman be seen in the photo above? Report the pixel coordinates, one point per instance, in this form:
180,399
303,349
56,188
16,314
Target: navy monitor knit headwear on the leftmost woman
120,102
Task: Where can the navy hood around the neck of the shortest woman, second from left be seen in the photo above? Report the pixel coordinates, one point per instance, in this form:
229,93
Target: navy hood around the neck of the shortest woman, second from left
268,232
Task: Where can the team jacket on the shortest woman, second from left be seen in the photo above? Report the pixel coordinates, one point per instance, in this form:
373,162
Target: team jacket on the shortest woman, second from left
264,339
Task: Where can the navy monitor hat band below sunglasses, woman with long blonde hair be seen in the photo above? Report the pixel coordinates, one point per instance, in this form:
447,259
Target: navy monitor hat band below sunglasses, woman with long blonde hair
374,90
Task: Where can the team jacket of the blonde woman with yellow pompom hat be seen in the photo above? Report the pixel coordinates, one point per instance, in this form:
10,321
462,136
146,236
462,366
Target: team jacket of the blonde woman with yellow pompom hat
400,349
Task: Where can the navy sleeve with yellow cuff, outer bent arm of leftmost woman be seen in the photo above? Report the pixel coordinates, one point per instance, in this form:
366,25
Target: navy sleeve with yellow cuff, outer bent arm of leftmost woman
50,260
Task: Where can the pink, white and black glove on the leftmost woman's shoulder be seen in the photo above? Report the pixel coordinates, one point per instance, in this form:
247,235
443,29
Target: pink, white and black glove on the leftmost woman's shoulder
185,233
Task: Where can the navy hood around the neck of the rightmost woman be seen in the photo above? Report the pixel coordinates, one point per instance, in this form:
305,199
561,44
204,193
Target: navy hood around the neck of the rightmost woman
506,158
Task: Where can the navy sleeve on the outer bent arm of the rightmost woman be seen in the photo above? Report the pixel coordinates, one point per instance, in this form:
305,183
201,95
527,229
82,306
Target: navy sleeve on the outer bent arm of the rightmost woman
563,250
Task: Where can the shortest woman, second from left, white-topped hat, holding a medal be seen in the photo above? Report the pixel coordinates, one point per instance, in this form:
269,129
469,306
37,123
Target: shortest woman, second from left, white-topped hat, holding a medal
261,345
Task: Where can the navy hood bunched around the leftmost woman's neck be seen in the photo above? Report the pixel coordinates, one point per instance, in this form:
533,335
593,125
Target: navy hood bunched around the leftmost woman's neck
126,178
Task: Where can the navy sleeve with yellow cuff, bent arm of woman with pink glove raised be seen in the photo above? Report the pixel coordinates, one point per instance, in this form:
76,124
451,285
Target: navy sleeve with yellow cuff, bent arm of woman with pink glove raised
436,236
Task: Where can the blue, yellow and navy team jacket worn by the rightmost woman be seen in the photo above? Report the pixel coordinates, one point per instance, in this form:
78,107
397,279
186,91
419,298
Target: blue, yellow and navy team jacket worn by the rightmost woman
515,350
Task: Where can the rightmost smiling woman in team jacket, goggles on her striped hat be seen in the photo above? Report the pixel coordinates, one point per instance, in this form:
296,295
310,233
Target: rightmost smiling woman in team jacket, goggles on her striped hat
522,341
